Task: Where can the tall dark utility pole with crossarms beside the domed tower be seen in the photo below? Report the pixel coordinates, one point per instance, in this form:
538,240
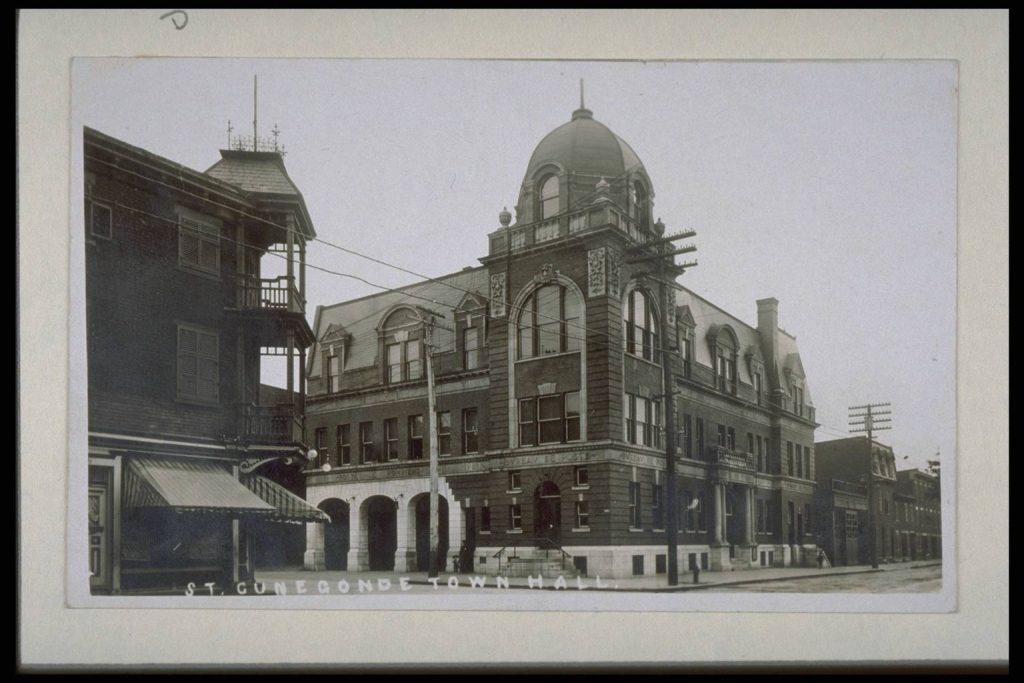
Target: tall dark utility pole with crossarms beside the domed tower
665,264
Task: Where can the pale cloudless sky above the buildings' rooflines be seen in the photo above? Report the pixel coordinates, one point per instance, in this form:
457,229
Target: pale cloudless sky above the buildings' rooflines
829,186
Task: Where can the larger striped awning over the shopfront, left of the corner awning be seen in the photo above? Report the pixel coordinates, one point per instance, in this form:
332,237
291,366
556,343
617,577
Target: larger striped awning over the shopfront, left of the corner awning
190,486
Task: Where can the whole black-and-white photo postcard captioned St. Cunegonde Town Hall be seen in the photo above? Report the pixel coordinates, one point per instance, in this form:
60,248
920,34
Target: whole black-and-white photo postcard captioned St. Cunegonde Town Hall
518,335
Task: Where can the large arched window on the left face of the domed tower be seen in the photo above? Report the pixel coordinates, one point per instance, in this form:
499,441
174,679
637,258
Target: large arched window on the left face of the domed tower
549,322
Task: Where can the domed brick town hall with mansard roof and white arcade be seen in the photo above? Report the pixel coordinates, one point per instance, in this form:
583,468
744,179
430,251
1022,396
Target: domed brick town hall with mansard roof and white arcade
549,388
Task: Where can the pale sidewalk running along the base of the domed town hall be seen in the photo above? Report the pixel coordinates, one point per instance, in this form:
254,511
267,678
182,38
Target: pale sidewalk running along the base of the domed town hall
630,584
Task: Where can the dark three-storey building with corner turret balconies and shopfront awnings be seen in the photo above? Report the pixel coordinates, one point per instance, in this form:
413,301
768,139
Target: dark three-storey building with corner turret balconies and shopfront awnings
180,310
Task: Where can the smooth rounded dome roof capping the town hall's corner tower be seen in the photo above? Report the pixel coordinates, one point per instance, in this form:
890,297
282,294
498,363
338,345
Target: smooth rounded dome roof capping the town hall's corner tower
585,146
